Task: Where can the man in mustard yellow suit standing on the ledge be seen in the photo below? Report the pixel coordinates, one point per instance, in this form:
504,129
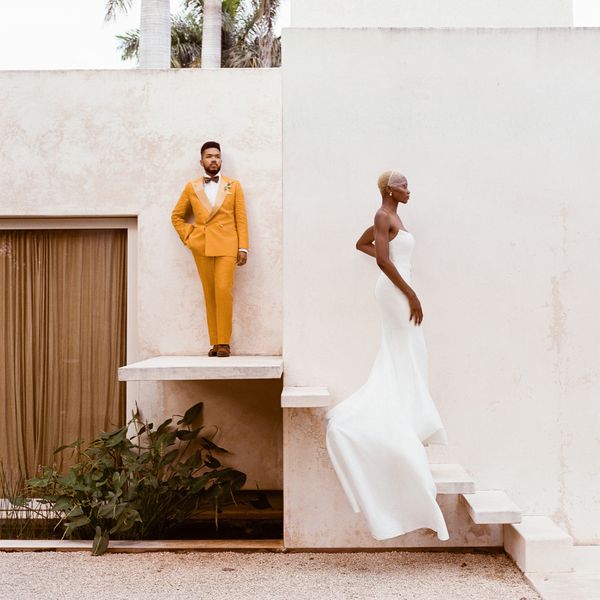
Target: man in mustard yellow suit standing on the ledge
218,239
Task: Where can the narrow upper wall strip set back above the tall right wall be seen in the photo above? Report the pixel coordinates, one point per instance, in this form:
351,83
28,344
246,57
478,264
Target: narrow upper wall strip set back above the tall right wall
432,13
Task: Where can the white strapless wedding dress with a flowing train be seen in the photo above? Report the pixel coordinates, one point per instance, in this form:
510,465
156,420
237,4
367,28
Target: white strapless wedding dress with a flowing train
375,437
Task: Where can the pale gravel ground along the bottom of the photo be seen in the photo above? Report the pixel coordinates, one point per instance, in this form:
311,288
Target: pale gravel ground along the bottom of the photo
238,576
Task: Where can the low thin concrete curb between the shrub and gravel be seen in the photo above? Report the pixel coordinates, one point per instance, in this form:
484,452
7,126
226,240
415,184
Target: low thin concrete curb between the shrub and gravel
145,546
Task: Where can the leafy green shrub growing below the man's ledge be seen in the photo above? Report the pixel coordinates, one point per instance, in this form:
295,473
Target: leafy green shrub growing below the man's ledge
141,484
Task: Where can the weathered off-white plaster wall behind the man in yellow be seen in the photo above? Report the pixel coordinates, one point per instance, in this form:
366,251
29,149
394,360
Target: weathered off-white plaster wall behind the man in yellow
124,143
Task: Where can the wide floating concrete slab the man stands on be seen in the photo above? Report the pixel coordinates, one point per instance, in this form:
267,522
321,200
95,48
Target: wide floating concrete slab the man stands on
181,368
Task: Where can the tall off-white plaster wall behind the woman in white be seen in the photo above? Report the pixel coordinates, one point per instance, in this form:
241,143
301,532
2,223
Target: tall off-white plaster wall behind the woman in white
496,131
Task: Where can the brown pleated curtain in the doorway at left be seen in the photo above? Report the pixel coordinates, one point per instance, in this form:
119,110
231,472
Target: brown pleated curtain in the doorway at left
62,338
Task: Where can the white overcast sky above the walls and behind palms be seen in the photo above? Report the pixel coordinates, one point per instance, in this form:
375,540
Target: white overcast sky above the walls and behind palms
42,34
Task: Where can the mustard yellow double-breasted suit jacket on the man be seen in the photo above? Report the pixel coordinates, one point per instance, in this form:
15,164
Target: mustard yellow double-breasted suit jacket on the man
217,231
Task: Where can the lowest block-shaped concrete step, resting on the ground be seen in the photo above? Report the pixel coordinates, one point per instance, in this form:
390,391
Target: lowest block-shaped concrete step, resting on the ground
538,544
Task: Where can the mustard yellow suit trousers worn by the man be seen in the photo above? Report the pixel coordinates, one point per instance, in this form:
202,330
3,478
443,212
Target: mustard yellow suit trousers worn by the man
216,274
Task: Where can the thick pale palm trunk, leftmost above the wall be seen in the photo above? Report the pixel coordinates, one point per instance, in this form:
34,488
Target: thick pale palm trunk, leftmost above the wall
155,35
